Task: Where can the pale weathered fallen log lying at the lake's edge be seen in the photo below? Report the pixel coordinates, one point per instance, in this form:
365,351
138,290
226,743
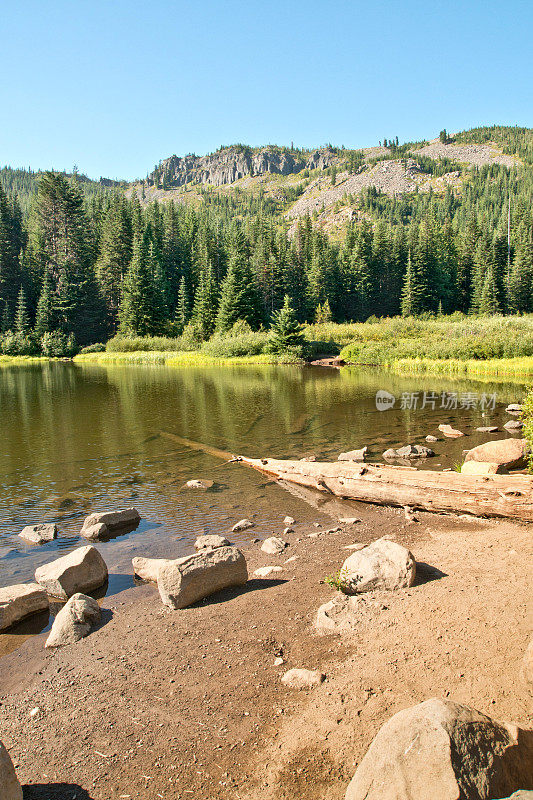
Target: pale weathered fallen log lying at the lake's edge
509,496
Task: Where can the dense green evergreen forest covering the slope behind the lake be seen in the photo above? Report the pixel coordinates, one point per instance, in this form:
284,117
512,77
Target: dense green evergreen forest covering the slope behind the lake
81,262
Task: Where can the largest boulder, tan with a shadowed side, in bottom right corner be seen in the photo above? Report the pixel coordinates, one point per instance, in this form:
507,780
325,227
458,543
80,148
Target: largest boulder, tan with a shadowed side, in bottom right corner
439,749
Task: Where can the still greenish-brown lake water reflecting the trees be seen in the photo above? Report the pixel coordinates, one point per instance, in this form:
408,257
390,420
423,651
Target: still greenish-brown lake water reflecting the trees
79,438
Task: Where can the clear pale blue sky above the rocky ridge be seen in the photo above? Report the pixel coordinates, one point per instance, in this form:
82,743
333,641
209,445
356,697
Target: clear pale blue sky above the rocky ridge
116,85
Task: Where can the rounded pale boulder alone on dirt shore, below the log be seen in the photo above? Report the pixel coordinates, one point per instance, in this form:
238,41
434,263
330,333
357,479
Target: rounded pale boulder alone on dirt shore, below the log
381,565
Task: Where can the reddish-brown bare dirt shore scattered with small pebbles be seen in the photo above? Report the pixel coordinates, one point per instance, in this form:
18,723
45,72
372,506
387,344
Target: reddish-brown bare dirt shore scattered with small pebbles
177,704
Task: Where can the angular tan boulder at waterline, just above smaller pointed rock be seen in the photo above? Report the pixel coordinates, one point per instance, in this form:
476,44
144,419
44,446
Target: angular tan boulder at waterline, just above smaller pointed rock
80,571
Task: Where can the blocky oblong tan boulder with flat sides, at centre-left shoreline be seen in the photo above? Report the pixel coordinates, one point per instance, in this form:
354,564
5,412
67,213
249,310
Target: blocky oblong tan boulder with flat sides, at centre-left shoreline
187,580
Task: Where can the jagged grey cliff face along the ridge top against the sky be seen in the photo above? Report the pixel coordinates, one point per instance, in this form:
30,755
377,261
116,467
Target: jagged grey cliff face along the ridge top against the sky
232,163
